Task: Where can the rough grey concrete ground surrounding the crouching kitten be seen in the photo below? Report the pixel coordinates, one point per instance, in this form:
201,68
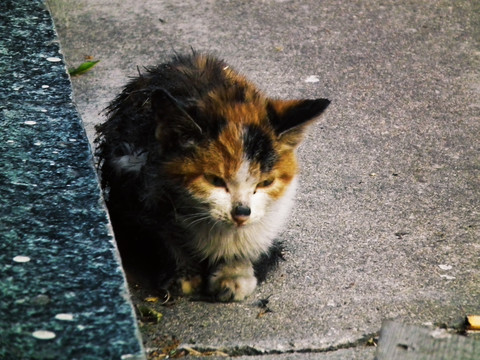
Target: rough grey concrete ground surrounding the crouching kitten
387,218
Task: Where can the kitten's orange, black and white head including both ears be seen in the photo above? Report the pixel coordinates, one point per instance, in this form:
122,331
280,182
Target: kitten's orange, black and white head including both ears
235,157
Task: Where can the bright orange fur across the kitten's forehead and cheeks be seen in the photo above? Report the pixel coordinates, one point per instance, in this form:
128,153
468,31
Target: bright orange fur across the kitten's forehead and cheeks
224,156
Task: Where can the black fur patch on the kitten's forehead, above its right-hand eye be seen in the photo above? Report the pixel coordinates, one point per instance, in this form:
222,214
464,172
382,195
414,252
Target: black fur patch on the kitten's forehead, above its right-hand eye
258,147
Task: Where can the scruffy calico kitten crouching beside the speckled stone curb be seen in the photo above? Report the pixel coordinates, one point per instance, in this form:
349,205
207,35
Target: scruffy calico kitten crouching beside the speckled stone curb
199,172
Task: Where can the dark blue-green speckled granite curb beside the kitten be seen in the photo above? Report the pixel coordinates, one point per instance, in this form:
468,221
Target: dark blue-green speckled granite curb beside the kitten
62,291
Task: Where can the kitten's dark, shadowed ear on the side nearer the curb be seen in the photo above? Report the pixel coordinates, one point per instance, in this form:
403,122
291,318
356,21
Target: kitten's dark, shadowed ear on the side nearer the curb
172,114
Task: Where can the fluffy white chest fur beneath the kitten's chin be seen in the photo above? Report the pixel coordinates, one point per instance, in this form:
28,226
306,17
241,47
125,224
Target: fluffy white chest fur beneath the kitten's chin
223,240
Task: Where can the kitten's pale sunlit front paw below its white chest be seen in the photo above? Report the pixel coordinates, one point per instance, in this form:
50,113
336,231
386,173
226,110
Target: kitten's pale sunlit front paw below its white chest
232,282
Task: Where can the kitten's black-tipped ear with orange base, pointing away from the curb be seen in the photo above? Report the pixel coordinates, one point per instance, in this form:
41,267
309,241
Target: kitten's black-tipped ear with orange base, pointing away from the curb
290,118
